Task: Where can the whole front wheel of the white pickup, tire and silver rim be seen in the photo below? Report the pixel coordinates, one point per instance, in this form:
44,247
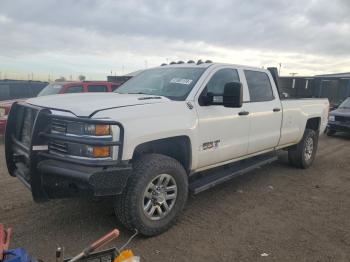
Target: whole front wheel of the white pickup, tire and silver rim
155,195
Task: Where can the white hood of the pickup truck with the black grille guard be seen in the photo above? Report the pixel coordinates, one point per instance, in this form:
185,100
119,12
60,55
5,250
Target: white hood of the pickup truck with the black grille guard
86,104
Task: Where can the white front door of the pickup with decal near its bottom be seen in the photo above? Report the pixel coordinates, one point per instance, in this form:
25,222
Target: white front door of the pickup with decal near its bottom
223,131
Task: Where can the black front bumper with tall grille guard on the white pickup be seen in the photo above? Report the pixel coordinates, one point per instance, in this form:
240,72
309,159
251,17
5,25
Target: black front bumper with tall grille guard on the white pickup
49,175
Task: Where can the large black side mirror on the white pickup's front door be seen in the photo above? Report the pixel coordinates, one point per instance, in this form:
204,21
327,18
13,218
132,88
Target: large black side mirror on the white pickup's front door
233,95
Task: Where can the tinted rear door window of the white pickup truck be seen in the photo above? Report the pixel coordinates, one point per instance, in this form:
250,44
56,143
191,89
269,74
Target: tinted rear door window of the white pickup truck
259,86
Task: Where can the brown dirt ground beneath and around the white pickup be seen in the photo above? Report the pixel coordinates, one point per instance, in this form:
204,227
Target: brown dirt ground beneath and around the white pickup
287,213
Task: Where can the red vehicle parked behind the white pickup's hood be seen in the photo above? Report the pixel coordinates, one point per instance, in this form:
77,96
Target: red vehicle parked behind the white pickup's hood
59,88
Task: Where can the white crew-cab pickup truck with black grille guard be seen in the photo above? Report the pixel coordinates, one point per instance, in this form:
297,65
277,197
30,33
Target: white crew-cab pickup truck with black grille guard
168,131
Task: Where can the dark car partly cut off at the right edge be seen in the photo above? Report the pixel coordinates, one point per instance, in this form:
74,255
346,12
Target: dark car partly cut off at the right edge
339,119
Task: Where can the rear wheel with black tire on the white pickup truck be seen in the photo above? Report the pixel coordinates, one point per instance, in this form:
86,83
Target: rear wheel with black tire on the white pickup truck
298,155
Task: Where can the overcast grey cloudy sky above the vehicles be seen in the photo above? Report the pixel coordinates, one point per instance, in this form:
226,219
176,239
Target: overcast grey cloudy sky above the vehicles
93,37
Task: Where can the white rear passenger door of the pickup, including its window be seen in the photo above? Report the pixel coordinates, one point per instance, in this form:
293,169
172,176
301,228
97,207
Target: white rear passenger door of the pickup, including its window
265,111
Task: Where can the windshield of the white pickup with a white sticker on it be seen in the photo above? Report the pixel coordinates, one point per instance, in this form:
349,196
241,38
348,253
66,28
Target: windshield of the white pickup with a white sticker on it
173,83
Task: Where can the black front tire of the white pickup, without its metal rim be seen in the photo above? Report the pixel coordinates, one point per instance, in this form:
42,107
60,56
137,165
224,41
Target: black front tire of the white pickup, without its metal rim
129,205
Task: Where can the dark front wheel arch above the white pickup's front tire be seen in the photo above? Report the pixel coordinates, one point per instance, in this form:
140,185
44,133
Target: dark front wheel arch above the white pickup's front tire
178,147
